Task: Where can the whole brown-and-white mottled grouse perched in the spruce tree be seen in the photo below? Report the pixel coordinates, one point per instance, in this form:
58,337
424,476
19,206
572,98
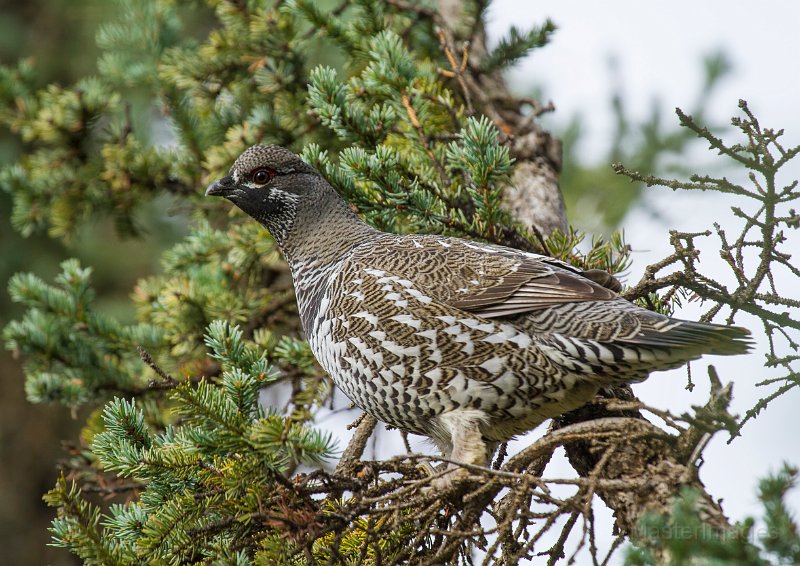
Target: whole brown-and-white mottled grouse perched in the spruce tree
467,343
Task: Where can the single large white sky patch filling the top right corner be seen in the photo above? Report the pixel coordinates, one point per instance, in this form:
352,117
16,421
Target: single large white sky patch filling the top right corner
659,46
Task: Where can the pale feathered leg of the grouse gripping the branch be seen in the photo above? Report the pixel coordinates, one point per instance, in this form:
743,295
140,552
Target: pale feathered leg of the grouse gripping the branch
468,446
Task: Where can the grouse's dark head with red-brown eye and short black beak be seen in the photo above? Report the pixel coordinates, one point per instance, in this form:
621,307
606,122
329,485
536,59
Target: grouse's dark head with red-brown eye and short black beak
270,183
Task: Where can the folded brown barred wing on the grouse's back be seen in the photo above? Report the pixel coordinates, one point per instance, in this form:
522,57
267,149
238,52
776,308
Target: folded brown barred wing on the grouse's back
490,281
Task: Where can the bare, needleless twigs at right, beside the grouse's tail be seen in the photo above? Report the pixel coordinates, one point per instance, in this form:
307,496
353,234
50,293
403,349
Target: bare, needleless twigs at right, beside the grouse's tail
761,228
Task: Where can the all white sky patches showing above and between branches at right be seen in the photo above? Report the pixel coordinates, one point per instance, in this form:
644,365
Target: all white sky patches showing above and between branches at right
658,48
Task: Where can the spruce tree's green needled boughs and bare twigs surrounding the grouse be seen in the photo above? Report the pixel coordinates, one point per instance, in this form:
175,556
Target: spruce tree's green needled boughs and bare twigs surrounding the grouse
388,100
